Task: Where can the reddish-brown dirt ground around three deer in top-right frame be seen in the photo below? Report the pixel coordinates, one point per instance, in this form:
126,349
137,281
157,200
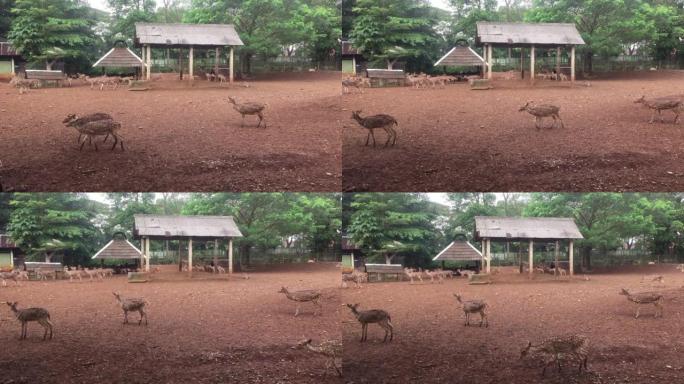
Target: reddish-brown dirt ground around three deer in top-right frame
456,139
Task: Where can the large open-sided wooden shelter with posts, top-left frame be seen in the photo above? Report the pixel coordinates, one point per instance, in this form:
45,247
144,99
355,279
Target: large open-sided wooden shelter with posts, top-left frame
207,36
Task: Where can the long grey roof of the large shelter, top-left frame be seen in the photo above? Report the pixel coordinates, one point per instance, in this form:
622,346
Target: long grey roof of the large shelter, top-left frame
213,35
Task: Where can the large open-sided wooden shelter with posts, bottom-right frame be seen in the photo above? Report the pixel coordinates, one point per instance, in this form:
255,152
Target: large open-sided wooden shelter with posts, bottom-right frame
531,229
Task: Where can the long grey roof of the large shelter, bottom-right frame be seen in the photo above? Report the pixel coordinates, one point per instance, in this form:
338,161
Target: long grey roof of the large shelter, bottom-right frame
542,228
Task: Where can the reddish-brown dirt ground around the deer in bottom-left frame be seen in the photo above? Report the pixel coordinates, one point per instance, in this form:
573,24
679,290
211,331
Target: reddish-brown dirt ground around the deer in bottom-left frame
204,330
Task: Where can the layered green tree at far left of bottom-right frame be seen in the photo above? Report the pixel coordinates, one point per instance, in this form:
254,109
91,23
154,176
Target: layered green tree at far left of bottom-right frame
393,224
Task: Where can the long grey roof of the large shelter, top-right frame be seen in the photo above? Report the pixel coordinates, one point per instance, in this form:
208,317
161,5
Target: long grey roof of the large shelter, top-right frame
528,33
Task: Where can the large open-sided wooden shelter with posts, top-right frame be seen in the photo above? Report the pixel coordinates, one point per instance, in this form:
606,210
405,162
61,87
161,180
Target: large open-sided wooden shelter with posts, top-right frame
529,35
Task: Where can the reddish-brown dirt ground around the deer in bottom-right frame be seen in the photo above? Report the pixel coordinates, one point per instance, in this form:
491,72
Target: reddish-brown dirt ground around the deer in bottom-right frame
432,345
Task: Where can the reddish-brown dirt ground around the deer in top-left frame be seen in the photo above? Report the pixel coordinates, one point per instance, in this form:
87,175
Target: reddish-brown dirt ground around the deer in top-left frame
177,137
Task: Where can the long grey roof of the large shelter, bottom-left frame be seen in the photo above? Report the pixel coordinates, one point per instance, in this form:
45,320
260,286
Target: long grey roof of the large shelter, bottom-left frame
185,226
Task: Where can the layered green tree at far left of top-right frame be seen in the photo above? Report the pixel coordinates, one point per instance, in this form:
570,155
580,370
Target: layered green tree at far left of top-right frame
394,29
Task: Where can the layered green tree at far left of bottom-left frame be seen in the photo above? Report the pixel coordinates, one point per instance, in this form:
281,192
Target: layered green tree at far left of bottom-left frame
46,223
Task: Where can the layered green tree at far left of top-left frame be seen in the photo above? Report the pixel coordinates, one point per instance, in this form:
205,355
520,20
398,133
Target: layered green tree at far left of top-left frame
51,30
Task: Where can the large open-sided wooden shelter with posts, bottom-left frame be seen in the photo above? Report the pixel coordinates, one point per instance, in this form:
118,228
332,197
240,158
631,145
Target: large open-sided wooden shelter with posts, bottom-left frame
203,228
